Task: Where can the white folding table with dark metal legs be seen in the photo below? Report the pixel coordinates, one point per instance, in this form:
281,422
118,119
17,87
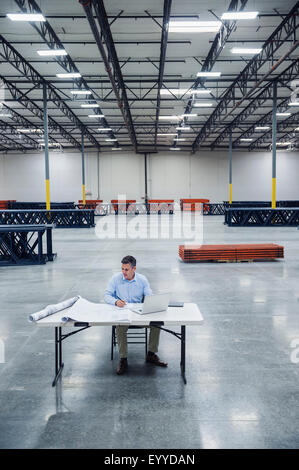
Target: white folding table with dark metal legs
188,314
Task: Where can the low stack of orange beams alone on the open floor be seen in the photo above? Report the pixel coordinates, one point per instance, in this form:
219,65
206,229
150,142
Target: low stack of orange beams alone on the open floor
233,253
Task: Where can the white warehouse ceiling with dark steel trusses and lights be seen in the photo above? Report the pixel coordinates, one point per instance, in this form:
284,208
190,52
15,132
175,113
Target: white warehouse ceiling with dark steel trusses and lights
142,76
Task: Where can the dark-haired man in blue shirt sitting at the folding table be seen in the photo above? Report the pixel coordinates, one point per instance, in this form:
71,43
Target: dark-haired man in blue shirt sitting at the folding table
131,287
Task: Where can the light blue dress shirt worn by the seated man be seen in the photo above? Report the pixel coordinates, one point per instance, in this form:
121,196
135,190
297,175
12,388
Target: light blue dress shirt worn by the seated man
119,288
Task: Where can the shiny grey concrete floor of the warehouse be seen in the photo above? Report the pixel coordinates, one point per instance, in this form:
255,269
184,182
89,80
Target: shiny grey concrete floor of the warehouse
243,388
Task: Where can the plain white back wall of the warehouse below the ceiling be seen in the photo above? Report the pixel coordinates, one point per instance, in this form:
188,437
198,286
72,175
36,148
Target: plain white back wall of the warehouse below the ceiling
170,175
